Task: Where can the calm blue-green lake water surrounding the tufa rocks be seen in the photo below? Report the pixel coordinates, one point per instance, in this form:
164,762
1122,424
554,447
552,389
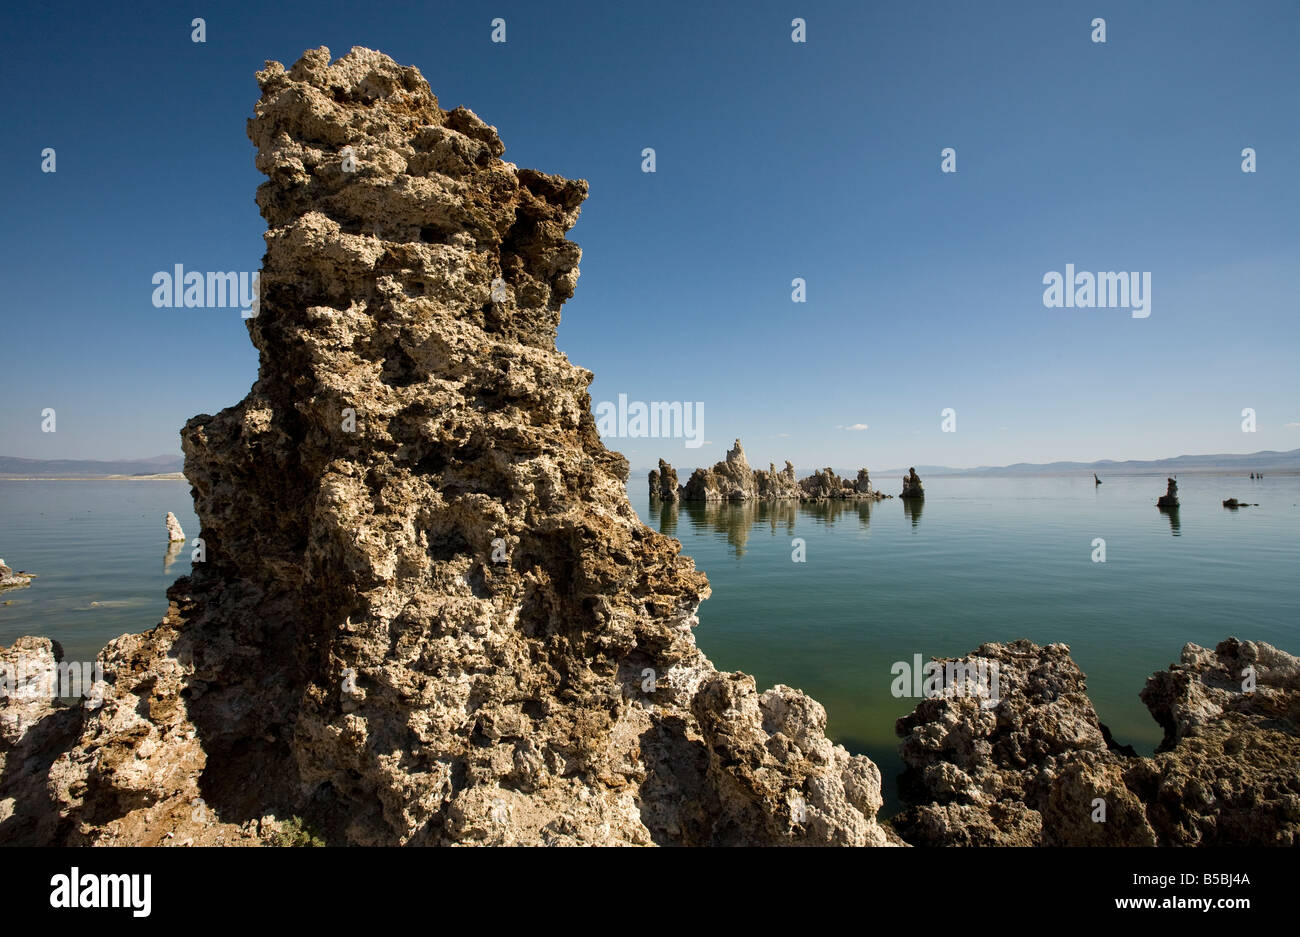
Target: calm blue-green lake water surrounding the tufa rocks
983,559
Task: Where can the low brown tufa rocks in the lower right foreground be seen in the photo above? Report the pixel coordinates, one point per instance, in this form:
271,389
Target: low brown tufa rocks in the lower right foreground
1037,767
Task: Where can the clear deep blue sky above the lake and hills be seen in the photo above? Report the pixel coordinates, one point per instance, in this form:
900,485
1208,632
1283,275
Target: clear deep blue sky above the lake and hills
774,160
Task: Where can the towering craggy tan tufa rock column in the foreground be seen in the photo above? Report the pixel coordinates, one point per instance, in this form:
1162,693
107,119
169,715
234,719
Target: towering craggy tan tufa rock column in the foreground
428,613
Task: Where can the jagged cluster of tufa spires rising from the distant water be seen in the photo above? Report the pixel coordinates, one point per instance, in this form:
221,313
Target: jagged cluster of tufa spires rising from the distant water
735,481
